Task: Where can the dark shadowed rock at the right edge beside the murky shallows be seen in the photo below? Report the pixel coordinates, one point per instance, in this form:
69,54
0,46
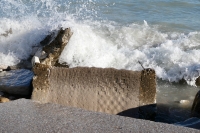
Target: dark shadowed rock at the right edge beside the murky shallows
195,112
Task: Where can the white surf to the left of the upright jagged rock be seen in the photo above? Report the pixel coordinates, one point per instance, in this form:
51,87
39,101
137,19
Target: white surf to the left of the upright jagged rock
17,44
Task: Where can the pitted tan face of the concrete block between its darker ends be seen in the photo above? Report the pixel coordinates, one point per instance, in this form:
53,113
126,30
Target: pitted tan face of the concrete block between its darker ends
103,90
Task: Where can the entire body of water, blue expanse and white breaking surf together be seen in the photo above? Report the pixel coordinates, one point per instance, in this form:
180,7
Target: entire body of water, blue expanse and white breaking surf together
161,34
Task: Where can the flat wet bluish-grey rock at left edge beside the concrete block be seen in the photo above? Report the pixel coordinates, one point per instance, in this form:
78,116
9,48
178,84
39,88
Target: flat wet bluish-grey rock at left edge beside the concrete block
16,82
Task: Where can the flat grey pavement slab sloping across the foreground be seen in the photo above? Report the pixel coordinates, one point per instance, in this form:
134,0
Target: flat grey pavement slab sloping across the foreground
32,117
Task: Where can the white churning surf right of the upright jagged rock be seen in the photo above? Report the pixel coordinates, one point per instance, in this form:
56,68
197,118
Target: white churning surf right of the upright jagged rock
173,55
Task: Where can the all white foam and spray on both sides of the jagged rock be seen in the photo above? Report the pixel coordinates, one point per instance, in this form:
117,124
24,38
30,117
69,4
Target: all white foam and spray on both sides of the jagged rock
98,42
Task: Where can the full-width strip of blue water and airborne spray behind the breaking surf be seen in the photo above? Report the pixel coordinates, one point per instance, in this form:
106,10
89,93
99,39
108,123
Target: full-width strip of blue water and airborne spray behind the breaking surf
180,15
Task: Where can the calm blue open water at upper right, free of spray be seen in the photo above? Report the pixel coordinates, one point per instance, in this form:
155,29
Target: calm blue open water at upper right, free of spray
179,15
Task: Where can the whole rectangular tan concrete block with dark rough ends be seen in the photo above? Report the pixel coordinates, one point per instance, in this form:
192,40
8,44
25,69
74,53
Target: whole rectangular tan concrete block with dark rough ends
103,90
